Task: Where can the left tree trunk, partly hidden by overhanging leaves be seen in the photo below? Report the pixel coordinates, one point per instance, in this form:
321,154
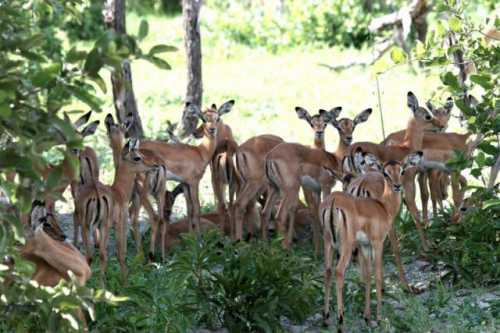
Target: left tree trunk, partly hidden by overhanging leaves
123,92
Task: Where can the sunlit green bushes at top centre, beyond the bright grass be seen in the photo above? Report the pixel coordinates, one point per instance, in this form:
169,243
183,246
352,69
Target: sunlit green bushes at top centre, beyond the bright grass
343,22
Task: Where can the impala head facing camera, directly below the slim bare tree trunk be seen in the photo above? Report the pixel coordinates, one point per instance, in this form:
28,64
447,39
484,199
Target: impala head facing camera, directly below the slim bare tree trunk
210,117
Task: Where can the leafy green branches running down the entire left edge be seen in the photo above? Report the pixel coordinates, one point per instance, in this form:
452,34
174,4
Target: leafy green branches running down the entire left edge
39,79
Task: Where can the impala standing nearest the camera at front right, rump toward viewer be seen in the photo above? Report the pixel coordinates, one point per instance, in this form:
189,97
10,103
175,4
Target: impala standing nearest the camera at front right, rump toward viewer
349,222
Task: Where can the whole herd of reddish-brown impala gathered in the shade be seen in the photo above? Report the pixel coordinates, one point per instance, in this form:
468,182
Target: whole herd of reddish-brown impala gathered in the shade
267,170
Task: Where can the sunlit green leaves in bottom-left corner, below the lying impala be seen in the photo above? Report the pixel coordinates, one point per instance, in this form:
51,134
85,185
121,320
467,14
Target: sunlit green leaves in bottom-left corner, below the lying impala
27,307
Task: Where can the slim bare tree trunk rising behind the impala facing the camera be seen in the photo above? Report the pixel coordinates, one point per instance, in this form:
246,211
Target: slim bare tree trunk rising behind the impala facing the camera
192,42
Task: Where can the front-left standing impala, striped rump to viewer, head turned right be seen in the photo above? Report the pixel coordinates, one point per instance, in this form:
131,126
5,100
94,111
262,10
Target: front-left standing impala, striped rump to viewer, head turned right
100,206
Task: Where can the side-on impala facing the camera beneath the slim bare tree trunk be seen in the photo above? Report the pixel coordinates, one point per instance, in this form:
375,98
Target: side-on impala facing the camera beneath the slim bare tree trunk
186,164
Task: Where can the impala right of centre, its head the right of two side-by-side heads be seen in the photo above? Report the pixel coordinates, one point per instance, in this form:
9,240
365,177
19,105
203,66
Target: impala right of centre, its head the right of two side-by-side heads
290,166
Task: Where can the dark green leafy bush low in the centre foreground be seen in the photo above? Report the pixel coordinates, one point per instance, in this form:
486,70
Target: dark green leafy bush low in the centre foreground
244,287
